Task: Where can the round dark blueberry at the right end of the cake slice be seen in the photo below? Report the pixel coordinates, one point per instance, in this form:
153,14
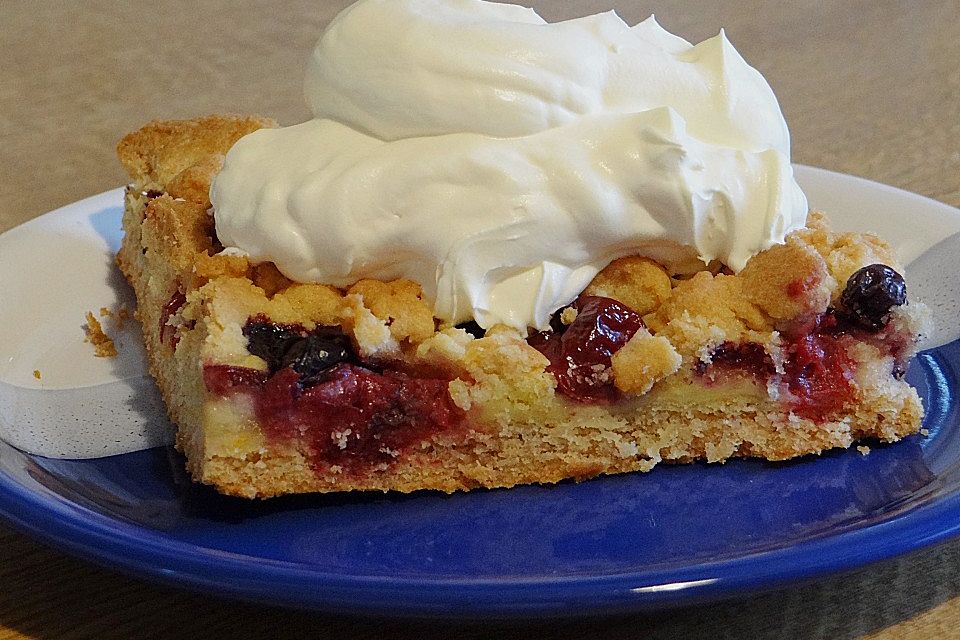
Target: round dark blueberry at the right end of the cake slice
870,294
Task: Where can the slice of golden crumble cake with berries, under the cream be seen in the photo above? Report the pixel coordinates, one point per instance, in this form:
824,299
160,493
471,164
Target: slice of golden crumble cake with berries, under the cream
281,387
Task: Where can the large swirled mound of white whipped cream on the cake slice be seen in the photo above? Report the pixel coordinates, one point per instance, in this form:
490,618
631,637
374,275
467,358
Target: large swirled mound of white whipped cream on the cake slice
502,162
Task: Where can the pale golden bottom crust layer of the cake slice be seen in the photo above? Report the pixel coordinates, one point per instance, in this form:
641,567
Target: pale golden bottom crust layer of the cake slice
590,441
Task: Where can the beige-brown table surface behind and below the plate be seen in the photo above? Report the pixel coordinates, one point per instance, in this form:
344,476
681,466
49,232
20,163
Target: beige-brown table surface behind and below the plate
870,88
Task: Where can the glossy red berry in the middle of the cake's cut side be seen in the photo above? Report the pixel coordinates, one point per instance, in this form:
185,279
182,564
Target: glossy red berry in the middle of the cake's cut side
580,354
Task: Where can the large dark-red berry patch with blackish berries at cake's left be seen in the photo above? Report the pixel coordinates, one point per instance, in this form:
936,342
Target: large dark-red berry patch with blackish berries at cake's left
343,414
